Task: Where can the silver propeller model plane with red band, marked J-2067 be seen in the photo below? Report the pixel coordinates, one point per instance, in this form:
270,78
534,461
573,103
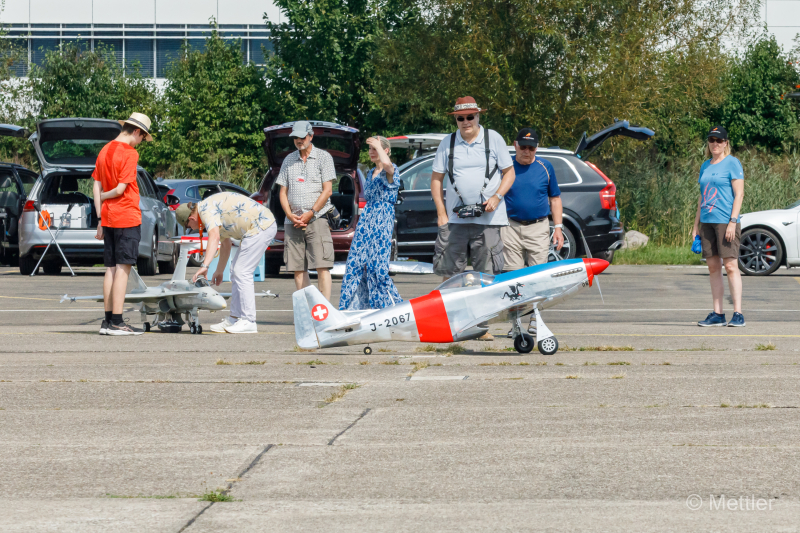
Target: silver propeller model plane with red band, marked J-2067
457,310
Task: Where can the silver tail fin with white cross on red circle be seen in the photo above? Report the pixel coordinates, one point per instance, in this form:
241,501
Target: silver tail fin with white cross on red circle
313,314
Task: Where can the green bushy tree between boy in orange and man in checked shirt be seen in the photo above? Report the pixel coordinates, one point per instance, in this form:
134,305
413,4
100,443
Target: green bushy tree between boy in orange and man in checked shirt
217,107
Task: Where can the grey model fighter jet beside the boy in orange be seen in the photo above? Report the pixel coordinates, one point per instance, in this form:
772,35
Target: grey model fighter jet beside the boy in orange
173,298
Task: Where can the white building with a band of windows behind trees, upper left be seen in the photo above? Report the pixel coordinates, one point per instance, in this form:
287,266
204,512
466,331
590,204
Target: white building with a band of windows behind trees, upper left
147,34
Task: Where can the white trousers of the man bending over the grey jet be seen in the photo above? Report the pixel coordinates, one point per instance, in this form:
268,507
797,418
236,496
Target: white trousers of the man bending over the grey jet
251,251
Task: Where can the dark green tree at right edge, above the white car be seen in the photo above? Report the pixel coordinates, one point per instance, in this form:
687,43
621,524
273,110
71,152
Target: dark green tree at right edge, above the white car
755,112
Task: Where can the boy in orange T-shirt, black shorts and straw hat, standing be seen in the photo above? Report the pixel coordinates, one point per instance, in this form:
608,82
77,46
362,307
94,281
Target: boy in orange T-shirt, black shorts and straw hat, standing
116,198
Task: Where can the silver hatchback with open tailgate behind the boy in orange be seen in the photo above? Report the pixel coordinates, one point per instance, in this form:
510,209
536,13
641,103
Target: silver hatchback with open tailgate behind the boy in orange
67,150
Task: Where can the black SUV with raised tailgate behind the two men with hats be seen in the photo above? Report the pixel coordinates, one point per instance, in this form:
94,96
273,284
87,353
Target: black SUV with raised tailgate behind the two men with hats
588,196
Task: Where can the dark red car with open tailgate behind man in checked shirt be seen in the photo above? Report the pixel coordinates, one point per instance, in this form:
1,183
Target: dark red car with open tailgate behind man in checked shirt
343,143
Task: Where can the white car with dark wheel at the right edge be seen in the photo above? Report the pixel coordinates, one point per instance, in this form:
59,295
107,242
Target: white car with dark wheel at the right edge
770,239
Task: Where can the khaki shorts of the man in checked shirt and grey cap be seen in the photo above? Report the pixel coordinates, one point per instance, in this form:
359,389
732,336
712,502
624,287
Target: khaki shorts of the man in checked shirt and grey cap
308,249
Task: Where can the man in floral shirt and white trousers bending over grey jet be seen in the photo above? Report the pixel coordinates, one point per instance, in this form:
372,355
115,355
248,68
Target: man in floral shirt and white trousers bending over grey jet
227,216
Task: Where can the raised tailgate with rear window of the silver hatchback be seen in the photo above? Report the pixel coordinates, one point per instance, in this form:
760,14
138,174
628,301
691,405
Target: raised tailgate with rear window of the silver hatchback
71,143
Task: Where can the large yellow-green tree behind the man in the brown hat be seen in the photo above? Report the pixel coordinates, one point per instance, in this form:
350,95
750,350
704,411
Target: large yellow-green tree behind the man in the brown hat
563,66
